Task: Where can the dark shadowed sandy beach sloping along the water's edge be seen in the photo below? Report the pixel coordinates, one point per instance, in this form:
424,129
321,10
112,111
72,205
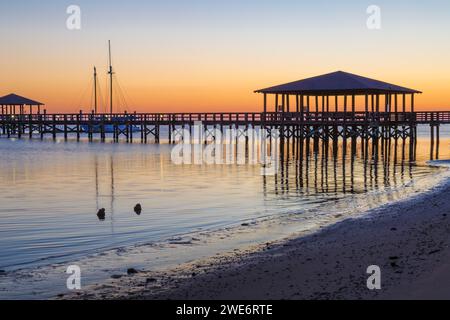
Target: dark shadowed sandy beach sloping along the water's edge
409,240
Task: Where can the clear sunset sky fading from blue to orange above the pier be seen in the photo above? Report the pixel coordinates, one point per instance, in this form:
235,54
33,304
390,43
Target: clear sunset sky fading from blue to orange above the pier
208,55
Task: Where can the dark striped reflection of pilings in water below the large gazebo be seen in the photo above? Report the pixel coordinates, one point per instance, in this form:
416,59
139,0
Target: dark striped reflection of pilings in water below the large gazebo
326,166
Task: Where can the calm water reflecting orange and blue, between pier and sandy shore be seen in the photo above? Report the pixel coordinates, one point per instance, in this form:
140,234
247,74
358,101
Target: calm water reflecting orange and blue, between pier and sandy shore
51,191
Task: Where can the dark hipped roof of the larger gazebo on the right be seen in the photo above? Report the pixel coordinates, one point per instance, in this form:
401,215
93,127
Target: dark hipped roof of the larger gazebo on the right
337,83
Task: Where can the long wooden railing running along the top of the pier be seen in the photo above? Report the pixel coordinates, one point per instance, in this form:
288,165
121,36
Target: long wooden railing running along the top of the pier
311,118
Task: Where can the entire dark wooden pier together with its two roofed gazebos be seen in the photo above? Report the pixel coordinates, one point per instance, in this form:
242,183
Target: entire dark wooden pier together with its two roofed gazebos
326,107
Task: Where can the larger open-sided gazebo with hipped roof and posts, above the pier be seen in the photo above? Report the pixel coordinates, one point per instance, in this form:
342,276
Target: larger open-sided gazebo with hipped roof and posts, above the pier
338,92
